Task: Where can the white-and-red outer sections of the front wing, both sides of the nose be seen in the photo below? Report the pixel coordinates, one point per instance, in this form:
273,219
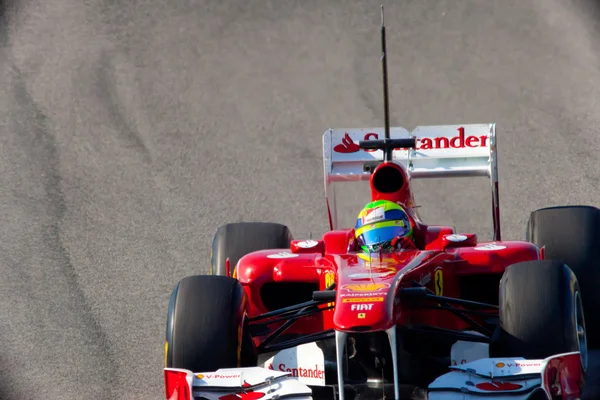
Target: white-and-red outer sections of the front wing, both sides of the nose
556,377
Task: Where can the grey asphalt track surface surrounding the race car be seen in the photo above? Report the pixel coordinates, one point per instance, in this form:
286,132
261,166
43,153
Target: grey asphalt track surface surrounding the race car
130,130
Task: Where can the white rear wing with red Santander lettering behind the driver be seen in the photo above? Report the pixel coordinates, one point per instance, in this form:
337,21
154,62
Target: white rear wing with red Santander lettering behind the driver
441,151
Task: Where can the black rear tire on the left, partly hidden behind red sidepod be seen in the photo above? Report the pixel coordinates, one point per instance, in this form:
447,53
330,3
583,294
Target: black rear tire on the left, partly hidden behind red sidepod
235,240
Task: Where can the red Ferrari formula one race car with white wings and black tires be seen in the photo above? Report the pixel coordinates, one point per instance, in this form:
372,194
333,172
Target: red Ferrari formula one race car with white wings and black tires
451,318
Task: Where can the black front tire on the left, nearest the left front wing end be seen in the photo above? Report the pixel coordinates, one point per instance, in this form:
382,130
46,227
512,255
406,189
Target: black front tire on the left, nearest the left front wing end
203,325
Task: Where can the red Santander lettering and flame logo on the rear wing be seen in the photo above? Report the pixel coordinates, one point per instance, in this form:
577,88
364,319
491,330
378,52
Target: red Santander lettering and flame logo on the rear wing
456,142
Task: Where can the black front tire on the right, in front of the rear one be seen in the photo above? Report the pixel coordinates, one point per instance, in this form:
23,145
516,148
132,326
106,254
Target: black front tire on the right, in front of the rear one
541,312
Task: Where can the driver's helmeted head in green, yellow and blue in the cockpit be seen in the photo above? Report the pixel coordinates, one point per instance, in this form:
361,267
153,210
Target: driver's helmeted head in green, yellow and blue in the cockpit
380,224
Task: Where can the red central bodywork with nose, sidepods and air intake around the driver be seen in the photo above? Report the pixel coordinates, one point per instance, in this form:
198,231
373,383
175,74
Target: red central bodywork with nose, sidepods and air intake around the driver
367,286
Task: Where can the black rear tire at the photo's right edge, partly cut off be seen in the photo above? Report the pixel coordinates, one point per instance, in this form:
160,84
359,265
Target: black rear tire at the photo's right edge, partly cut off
571,234
